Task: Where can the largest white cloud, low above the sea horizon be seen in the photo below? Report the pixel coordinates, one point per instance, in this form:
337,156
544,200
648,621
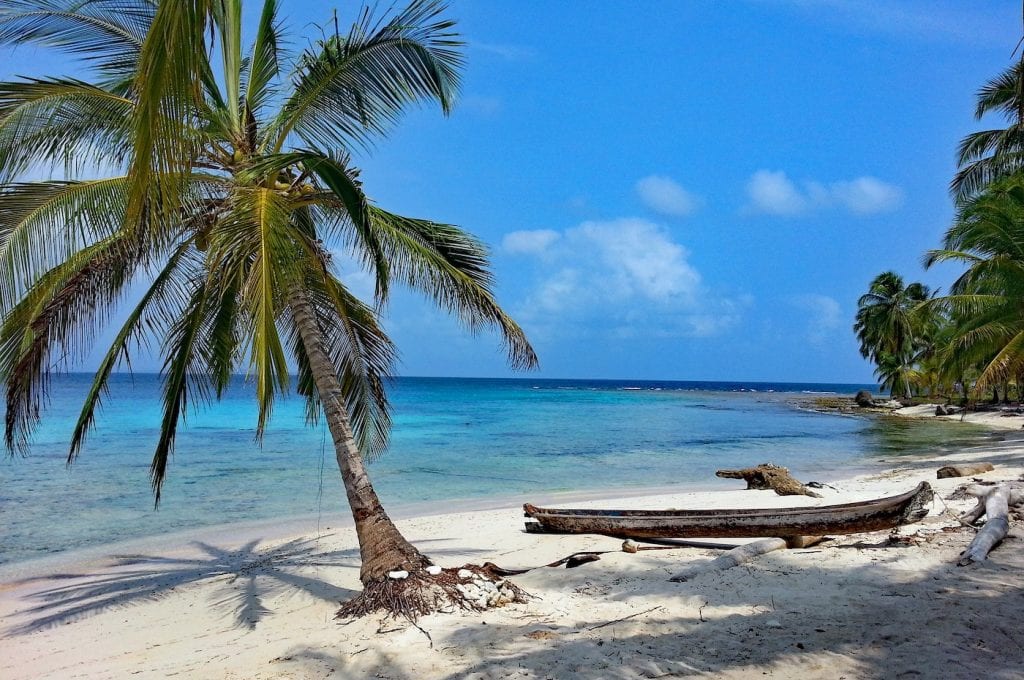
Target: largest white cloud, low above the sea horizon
625,278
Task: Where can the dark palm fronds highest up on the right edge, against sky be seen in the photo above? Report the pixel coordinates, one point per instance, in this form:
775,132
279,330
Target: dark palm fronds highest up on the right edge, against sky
988,156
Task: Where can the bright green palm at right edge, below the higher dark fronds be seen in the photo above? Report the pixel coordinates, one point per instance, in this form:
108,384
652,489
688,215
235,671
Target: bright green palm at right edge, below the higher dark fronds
987,303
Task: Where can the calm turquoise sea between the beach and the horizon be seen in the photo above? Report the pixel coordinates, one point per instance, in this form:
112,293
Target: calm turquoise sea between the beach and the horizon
453,439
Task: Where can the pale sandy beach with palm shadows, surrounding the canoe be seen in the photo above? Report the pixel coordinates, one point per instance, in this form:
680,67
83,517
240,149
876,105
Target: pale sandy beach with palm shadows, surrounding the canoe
251,605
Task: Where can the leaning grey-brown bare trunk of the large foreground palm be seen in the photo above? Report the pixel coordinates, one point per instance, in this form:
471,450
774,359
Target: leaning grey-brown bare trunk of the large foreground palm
382,548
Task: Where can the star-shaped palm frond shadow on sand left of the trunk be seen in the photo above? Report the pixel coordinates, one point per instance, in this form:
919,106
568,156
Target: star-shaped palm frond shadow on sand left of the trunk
245,578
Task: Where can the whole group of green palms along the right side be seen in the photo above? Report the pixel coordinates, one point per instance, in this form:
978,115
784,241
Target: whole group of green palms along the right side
970,343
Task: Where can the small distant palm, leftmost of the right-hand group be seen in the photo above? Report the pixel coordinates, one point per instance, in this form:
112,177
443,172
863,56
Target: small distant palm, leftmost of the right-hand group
891,328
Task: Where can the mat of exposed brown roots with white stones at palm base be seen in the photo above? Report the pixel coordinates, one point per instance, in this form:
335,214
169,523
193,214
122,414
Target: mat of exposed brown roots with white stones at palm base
471,588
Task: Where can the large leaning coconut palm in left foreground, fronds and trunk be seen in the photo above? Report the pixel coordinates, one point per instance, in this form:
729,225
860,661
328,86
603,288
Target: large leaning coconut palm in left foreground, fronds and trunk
230,183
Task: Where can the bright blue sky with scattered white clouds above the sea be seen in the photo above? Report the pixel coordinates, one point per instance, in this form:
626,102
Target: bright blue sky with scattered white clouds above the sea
684,191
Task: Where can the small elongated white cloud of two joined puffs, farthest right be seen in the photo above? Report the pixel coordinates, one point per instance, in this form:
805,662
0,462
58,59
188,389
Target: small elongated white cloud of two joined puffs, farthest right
773,193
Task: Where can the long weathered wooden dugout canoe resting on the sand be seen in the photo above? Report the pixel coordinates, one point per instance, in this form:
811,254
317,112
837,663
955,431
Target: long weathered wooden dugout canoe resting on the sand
875,516
